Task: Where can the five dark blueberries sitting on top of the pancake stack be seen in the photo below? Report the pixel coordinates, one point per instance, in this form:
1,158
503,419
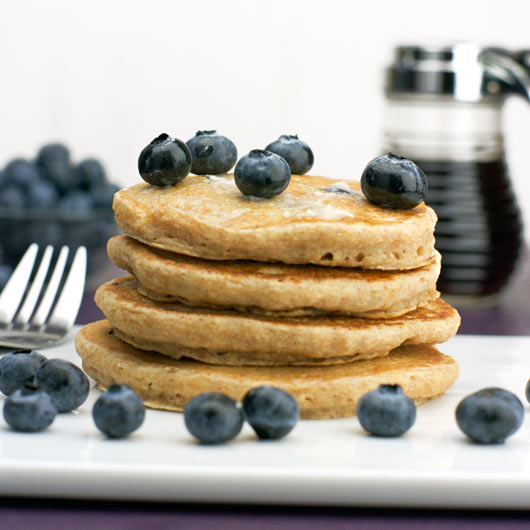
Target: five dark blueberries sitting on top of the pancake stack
389,181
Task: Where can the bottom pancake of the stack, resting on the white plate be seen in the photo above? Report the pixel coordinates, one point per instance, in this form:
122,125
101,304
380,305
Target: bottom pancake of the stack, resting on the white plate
322,392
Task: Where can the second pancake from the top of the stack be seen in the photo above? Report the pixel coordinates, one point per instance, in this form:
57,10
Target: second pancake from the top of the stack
274,289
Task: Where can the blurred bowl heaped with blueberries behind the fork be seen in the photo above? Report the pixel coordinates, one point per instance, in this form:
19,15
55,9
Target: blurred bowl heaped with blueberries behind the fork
53,200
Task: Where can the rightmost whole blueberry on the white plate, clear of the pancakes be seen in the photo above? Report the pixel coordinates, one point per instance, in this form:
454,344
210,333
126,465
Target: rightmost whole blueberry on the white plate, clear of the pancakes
490,415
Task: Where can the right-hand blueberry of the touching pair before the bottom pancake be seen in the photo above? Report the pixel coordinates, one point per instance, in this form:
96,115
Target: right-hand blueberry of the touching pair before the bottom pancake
272,412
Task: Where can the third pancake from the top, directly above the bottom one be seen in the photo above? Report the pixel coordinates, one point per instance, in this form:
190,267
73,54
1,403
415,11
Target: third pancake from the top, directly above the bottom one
230,337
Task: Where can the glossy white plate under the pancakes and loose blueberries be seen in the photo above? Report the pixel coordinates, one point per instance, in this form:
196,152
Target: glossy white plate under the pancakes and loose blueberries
328,462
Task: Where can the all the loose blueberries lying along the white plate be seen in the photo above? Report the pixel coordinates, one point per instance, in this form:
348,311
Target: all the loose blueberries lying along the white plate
39,388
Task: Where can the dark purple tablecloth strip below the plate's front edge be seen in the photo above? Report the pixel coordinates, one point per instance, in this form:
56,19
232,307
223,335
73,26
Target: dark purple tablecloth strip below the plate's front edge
53,515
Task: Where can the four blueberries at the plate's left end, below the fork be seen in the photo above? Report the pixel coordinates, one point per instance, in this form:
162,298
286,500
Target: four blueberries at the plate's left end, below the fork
37,389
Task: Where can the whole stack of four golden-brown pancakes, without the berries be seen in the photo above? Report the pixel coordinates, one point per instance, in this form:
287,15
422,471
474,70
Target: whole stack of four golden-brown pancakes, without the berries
316,291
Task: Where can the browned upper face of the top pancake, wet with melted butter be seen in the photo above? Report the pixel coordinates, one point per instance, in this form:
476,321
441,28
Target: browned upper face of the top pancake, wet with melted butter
306,198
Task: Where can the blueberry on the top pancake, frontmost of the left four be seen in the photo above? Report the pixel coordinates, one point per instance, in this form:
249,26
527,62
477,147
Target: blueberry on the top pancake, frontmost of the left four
262,174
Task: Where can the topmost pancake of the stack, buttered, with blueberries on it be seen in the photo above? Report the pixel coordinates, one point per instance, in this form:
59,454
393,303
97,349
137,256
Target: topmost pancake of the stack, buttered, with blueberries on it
315,220
